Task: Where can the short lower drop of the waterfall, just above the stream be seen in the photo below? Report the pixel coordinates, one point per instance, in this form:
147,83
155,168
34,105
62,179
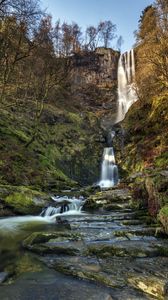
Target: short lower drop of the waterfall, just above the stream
109,170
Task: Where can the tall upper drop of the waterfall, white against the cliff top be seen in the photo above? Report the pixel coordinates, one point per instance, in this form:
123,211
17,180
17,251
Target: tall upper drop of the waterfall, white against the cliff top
126,76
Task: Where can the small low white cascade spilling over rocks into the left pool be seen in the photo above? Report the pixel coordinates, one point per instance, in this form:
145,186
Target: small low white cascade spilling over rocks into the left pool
64,205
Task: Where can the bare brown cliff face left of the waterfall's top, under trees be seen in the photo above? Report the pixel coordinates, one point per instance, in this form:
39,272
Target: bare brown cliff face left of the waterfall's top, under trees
98,67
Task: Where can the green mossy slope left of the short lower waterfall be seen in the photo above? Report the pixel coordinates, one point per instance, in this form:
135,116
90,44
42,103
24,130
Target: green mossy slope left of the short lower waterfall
65,150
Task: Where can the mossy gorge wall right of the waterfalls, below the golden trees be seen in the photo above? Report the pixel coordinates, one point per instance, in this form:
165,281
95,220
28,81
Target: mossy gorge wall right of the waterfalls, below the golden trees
141,147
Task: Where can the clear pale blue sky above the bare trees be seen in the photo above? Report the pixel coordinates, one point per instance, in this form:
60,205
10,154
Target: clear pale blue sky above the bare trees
124,13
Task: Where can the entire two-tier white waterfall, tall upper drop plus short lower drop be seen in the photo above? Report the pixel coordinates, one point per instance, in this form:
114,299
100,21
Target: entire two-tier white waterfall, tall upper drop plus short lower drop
126,97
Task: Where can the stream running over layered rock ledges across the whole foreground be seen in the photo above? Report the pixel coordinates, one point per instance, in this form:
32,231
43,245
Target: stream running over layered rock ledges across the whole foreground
103,254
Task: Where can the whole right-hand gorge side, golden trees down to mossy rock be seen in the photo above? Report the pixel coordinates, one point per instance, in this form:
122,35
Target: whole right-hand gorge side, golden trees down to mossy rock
145,153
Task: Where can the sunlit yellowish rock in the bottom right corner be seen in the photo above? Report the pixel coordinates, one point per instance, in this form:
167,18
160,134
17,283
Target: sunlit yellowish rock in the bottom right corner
150,284
